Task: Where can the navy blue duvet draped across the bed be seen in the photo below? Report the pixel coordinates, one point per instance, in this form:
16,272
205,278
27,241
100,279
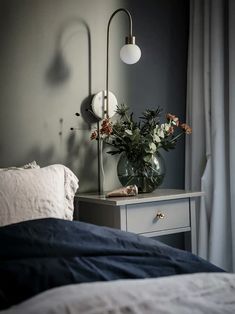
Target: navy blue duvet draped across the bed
40,254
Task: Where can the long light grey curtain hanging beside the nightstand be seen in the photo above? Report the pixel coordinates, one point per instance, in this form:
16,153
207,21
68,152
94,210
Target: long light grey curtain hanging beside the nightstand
209,153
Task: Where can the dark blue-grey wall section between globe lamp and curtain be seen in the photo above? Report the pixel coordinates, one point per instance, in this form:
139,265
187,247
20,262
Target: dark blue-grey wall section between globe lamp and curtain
160,78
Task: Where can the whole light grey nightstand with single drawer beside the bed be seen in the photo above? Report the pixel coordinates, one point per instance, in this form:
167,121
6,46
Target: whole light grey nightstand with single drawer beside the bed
163,212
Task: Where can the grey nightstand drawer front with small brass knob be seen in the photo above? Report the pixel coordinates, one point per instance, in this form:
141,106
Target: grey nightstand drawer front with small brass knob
158,216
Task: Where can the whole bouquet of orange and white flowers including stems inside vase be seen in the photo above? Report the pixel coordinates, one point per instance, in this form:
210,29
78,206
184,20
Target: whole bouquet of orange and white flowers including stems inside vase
141,140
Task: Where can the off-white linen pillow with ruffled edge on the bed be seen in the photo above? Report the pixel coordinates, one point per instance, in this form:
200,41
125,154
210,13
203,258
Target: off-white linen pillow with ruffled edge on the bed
37,193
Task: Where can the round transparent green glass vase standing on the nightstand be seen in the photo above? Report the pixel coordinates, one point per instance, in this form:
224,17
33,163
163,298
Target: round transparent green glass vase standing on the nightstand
148,176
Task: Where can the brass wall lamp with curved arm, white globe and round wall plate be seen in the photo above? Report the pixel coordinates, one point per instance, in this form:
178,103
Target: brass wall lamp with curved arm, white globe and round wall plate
104,103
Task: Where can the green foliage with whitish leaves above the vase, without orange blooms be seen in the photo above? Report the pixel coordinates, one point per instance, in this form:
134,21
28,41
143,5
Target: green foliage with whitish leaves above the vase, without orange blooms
141,139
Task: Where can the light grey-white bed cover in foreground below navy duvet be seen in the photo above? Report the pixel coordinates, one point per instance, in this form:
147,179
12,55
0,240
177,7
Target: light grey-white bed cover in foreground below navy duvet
194,293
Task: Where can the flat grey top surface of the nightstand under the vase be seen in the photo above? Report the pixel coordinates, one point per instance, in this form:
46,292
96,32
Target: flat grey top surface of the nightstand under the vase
158,195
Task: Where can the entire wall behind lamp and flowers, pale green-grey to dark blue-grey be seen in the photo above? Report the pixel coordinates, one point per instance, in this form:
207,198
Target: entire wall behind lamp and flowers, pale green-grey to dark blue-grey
52,58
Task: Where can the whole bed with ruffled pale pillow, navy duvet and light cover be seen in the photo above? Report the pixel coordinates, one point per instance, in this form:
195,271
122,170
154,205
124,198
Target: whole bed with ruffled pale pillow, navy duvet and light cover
51,264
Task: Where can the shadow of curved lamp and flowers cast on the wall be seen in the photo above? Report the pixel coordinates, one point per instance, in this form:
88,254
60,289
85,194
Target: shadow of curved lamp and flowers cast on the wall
79,155
